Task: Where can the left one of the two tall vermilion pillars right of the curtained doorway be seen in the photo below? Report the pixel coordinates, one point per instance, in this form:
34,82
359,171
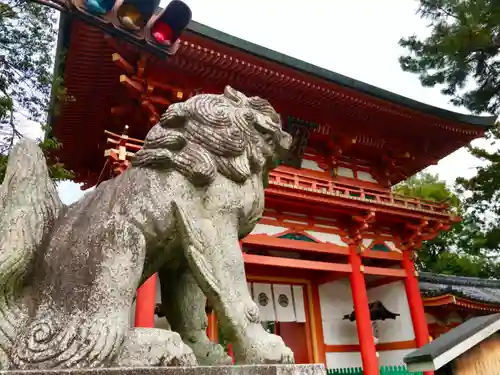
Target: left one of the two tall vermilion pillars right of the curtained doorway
362,313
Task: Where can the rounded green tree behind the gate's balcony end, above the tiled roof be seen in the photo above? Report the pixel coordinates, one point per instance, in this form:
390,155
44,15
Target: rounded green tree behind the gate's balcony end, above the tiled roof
458,251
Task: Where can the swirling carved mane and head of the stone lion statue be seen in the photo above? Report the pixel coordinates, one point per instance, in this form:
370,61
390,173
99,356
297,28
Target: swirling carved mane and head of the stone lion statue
210,134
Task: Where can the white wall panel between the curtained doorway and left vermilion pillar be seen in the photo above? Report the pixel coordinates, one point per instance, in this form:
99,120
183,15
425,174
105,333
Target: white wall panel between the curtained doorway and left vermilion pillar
336,301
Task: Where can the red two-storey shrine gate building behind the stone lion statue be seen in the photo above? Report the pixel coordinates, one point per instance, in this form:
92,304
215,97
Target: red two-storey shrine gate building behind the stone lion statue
330,264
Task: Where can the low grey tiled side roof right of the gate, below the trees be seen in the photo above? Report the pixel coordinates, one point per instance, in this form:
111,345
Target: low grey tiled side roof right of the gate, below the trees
472,288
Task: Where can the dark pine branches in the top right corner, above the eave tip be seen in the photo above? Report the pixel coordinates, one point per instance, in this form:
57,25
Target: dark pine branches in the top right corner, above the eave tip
461,50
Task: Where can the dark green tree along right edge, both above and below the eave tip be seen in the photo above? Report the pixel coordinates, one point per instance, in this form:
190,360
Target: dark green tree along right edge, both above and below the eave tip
461,55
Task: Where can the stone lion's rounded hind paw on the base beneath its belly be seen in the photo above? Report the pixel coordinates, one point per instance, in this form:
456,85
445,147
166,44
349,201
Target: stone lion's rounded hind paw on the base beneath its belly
145,347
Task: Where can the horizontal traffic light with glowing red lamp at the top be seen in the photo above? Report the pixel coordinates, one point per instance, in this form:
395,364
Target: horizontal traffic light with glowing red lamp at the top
142,19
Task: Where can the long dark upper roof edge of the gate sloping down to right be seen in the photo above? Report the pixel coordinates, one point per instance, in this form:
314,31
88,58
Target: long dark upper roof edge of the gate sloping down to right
339,79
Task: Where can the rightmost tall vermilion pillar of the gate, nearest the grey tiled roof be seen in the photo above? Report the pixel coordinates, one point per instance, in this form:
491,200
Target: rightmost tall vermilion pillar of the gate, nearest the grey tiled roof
415,303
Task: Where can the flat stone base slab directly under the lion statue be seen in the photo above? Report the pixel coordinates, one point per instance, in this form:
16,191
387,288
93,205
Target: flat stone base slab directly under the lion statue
313,369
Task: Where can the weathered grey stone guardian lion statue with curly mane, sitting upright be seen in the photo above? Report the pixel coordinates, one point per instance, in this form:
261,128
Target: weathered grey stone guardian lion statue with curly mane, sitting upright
68,275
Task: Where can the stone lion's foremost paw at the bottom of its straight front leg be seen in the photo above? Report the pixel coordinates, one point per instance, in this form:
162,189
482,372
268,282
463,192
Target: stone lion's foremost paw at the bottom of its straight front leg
261,347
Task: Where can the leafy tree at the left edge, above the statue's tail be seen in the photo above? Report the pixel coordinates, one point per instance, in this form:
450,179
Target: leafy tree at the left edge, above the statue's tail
27,39
